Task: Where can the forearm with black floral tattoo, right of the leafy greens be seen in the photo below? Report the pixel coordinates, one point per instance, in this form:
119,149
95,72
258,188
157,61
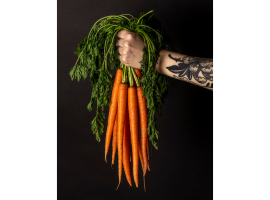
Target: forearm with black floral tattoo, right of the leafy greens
195,70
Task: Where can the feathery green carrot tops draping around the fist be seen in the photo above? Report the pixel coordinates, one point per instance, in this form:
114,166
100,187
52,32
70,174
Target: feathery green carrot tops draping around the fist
98,51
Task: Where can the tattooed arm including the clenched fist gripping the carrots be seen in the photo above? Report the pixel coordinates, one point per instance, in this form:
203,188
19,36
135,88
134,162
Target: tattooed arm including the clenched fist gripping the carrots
195,70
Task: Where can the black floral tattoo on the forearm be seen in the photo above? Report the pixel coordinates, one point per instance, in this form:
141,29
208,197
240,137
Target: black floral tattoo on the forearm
195,70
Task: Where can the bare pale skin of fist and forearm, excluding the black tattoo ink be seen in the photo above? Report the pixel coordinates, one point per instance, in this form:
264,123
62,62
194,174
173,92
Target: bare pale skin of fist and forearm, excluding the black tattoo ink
130,47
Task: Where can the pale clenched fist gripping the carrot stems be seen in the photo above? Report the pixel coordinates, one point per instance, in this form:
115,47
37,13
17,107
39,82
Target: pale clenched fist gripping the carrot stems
130,47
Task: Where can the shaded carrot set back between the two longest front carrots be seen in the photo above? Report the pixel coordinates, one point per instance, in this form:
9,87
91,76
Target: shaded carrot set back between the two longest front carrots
126,148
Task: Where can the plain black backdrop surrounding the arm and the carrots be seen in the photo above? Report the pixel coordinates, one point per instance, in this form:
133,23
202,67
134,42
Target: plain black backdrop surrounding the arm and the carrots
183,166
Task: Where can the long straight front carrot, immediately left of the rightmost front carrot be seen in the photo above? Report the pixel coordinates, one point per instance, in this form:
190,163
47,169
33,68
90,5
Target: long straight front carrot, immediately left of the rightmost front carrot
133,116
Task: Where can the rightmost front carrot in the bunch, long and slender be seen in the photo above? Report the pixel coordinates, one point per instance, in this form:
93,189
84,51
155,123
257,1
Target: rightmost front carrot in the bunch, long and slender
143,123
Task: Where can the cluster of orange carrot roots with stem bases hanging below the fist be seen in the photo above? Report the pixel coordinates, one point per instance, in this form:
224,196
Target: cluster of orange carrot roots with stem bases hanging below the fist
128,115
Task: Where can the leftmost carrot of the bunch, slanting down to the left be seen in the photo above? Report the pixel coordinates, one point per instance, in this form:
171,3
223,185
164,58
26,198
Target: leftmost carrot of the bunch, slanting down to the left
113,110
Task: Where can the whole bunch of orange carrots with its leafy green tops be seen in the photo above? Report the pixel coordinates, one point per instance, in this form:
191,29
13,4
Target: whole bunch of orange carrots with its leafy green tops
131,120
